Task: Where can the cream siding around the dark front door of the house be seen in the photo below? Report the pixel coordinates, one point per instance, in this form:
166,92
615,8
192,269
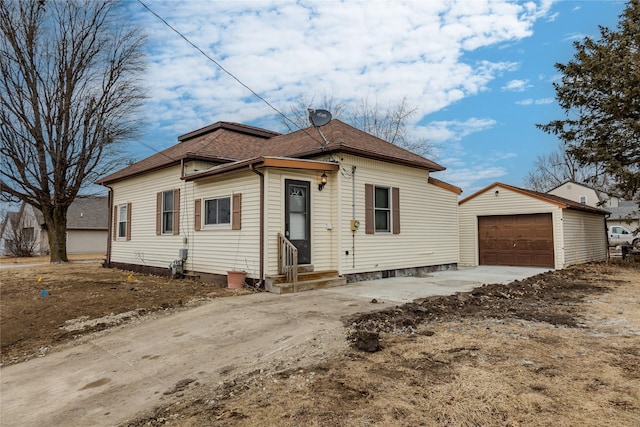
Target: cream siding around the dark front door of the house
324,221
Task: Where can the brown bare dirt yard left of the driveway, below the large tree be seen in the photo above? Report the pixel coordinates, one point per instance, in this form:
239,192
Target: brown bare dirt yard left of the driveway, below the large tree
47,305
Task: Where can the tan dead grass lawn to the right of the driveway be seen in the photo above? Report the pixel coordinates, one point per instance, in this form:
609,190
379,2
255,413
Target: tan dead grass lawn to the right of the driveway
498,371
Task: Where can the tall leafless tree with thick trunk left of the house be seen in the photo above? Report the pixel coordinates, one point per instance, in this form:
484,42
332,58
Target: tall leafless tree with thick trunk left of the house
69,91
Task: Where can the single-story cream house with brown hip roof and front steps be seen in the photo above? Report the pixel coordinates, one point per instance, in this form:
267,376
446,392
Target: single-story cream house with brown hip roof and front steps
283,208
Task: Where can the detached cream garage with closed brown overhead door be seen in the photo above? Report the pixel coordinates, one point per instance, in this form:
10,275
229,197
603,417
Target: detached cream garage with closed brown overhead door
506,225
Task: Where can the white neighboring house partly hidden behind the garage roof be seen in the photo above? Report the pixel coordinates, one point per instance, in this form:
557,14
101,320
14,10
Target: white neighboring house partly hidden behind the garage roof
622,212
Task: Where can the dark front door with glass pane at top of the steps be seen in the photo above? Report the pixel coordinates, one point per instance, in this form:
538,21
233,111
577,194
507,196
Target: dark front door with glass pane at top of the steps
298,218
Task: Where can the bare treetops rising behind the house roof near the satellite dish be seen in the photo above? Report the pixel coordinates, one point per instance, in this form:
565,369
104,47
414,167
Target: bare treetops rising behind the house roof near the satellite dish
388,123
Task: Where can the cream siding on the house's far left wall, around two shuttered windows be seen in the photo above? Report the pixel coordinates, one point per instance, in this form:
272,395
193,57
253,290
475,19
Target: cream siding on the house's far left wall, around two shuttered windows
145,247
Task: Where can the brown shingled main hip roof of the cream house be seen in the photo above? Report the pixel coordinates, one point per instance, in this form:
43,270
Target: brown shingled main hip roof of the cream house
225,142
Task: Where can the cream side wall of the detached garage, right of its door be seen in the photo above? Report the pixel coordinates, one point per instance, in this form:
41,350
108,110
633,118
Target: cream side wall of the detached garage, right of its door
584,237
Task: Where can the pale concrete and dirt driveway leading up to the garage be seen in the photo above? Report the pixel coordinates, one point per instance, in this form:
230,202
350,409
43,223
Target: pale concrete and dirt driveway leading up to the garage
109,379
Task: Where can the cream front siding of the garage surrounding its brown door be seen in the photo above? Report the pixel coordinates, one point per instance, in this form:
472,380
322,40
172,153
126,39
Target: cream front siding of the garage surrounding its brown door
506,203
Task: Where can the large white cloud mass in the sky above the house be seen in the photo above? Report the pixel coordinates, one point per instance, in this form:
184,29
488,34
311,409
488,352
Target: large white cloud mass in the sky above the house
283,50
